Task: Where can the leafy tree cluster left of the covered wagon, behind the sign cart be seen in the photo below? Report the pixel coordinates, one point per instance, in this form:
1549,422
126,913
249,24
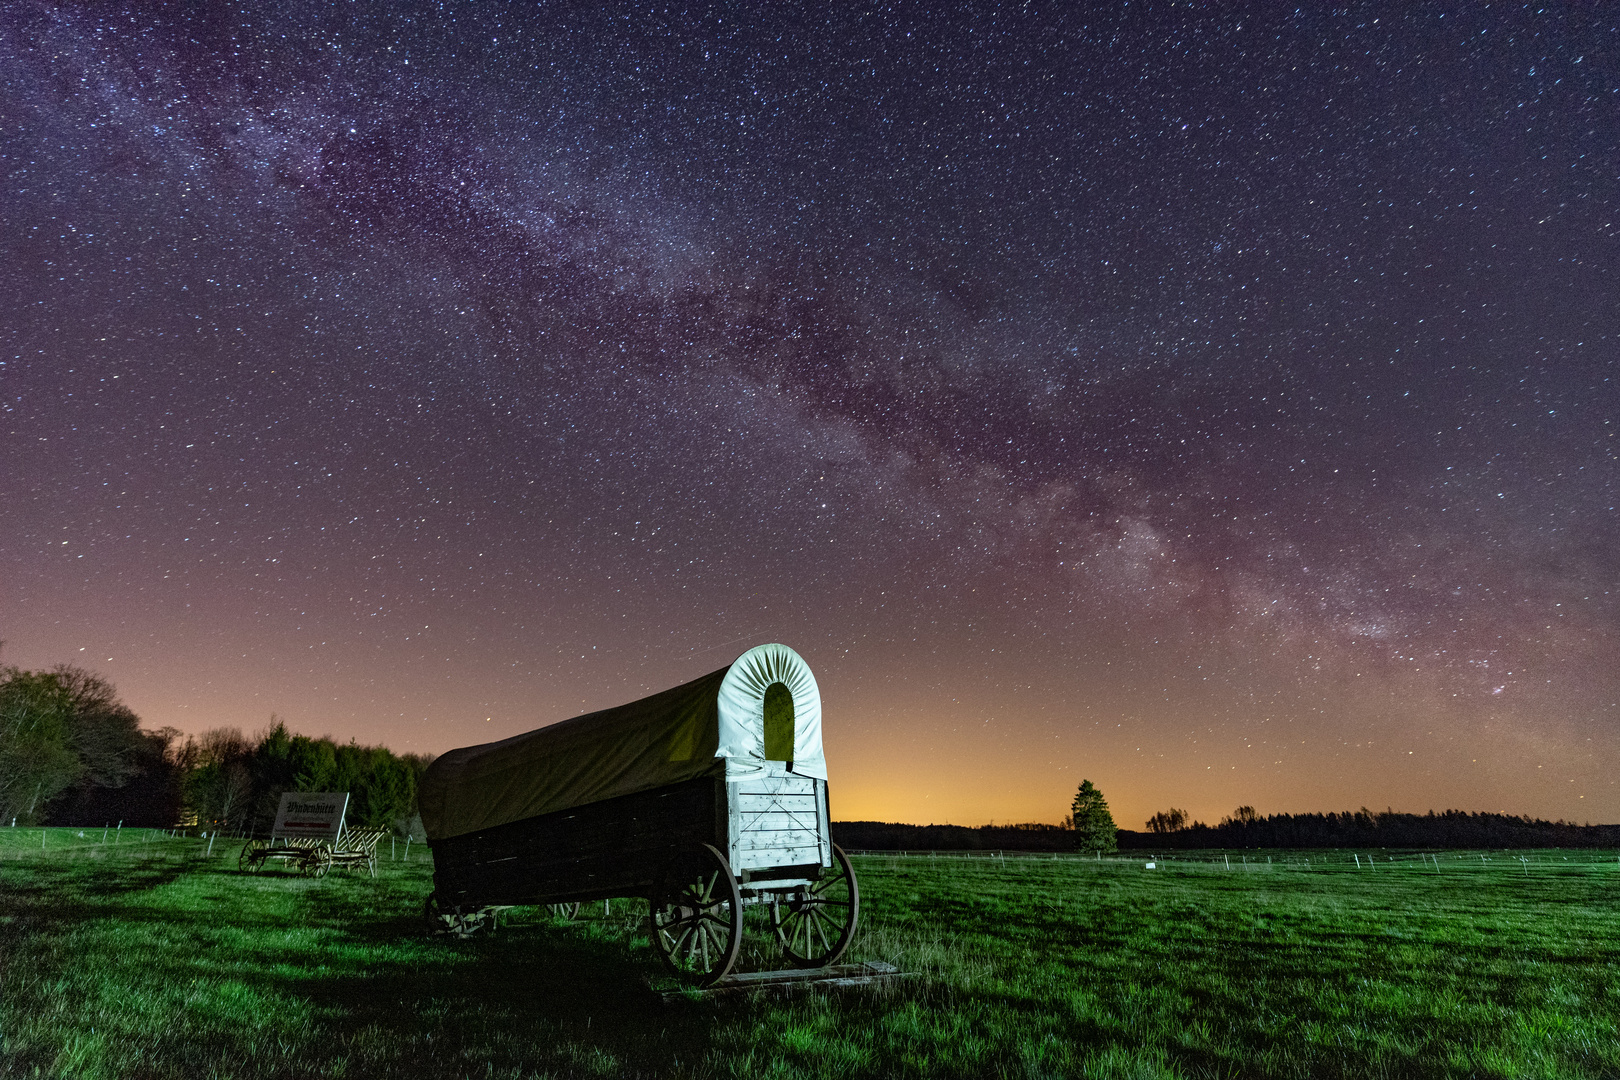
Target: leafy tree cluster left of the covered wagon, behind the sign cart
74,754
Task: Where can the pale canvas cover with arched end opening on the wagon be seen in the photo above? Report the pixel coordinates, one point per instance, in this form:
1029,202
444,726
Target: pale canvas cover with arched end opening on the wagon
764,707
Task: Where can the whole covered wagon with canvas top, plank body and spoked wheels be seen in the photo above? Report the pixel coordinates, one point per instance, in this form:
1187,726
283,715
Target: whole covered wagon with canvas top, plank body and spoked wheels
702,799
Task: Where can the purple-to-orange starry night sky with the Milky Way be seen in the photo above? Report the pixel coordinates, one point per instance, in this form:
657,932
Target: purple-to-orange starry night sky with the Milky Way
1213,402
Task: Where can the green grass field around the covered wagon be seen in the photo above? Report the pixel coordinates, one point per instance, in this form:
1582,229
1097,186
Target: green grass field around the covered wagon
150,959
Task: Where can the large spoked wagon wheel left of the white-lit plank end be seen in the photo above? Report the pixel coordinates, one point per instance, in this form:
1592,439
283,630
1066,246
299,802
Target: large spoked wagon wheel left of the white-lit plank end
696,921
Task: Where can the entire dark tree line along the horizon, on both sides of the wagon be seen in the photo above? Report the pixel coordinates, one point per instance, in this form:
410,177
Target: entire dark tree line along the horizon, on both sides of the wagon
74,754
